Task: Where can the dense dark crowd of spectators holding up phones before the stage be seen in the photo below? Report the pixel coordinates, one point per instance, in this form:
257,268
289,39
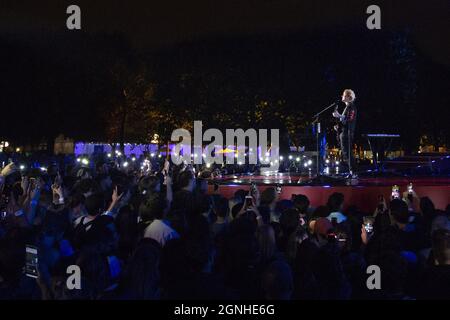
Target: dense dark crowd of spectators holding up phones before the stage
140,233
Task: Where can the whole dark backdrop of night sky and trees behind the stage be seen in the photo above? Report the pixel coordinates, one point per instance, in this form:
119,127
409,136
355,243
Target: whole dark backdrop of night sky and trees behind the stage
142,67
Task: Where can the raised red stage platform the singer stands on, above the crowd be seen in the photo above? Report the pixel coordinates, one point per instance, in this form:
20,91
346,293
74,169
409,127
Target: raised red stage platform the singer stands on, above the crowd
363,192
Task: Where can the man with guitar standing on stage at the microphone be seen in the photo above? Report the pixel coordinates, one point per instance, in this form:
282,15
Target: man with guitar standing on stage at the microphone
348,121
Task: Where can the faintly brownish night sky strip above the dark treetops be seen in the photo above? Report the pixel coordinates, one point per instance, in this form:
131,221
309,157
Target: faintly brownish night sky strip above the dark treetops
152,24
